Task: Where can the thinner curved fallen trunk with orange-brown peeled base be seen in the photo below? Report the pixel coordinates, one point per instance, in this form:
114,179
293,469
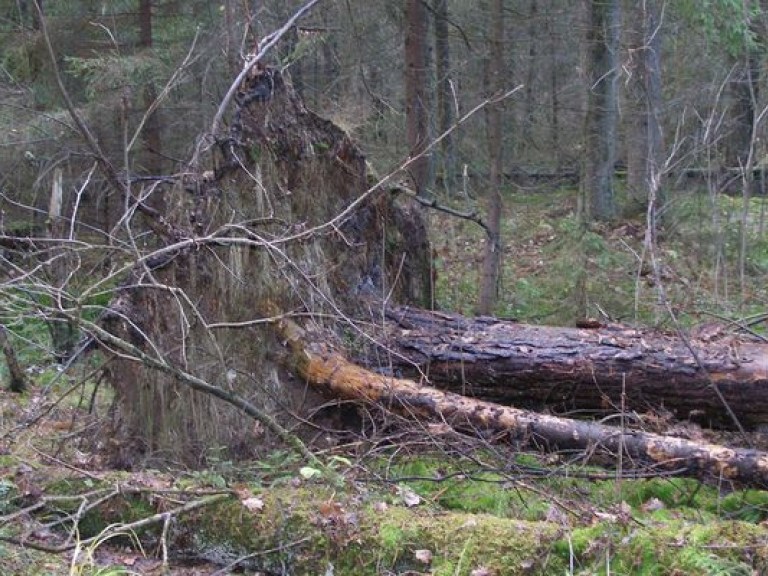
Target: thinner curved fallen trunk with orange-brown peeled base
330,372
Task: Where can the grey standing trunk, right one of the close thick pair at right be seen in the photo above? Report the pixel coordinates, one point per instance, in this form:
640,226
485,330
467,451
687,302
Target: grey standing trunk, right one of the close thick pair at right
644,146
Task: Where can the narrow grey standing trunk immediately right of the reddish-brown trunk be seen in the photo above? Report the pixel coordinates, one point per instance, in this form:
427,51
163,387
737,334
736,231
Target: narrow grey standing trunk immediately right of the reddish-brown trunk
445,96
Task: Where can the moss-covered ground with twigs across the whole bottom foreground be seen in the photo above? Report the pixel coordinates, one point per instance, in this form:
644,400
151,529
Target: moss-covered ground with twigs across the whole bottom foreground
426,513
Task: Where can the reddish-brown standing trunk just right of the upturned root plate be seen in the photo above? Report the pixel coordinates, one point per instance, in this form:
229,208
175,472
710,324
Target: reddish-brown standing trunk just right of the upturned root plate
416,92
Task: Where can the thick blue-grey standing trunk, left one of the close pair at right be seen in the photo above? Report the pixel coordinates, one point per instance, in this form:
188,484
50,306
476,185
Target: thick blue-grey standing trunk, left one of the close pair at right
603,33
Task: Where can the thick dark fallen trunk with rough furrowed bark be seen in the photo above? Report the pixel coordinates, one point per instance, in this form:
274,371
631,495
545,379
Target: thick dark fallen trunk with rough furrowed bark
597,370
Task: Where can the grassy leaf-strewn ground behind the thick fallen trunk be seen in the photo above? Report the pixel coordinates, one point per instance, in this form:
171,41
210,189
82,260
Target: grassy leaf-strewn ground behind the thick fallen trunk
556,271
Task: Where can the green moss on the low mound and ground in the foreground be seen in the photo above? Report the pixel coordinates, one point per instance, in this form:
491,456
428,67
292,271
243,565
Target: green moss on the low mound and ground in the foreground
360,539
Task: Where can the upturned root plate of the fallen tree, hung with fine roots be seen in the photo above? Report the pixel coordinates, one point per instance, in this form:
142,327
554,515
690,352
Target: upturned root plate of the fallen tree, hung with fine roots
255,227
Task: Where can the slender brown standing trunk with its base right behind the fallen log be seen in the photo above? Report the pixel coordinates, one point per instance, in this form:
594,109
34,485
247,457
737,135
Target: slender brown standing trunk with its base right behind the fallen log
495,82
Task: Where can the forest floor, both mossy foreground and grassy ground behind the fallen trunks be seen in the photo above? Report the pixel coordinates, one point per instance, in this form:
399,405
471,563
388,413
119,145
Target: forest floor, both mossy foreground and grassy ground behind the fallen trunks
416,500
